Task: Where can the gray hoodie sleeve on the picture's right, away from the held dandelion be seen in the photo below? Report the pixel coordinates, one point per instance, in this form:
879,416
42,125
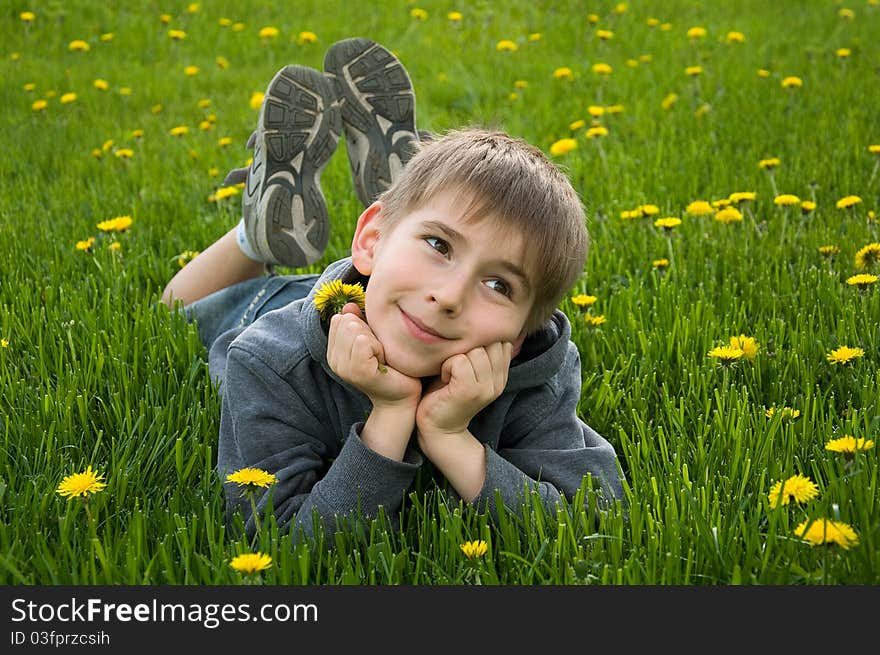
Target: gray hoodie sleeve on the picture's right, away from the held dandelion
546,447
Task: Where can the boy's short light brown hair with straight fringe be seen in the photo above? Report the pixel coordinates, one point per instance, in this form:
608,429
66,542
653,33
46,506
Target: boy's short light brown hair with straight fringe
513,181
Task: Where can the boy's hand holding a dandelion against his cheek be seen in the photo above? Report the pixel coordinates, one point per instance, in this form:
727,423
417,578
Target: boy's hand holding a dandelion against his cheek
356,355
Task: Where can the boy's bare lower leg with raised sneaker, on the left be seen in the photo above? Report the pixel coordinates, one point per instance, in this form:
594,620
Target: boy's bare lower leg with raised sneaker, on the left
285,215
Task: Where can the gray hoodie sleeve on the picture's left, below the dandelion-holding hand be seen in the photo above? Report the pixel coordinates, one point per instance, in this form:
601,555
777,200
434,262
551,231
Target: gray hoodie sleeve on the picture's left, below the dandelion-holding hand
265,423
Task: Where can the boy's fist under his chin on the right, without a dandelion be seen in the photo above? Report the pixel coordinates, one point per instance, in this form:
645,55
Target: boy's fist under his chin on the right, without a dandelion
467,383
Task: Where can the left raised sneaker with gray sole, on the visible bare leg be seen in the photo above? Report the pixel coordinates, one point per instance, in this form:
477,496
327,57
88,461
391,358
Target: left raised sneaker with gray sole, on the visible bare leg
285,214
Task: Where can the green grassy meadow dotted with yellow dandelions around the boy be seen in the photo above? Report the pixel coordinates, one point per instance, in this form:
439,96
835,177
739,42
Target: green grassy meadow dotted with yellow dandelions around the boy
730,355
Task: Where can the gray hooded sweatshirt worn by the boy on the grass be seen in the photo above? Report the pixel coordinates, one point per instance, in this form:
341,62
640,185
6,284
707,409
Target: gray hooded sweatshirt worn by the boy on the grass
285,411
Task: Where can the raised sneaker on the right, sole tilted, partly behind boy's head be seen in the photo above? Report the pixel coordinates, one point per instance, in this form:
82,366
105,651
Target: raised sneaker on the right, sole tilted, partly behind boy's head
378,112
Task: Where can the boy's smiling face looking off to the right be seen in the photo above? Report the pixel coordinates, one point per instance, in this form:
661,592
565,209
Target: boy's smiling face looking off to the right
440,286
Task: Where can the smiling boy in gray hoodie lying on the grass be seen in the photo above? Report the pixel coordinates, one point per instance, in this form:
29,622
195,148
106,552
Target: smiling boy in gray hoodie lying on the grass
459,356
